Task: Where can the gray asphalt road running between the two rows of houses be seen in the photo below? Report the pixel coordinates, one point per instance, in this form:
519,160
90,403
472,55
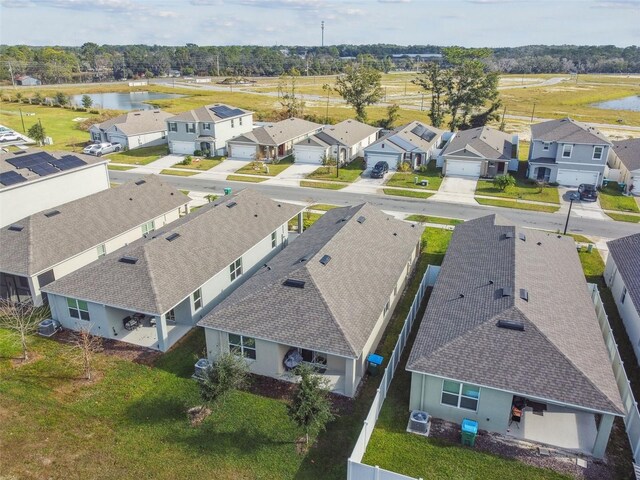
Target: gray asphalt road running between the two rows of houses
531,219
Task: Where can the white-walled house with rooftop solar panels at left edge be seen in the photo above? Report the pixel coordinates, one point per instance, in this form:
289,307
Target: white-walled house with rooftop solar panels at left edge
36,180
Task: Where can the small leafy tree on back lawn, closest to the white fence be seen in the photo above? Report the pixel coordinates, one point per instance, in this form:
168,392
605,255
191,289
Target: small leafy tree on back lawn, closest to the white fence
310,406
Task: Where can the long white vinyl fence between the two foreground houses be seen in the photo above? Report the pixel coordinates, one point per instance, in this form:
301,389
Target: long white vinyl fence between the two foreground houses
355,469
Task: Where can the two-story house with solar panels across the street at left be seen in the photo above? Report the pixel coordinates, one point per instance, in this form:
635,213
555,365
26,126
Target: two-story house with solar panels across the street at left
207,129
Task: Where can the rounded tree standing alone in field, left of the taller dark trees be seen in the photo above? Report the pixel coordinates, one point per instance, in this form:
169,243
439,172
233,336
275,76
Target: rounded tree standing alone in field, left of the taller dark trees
360,87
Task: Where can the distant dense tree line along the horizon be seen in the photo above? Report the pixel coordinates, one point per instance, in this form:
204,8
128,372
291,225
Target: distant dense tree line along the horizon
92,62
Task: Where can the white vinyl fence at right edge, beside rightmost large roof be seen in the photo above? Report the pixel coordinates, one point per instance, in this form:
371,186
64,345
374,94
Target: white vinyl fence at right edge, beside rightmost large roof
632,416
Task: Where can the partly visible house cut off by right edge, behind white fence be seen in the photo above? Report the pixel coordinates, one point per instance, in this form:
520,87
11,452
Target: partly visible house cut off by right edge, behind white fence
622,275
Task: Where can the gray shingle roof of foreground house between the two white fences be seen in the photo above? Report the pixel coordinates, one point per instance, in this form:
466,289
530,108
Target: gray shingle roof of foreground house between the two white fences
560,356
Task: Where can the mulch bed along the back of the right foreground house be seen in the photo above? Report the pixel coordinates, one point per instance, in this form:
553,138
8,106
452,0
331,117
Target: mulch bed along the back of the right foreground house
557,461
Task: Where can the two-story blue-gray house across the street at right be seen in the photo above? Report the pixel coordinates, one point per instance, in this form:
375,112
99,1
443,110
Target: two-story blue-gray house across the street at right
567,152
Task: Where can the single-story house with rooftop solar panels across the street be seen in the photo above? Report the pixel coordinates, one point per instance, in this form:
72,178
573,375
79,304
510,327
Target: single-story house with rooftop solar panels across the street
416,143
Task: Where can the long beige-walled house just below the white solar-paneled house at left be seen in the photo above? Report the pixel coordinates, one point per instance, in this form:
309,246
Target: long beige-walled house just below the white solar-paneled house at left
50,244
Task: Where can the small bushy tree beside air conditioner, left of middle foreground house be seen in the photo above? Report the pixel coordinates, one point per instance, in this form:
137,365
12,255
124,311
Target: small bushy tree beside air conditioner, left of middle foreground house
229,372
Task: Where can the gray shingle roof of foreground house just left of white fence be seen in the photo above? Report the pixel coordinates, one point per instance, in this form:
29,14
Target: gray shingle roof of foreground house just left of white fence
341,301
